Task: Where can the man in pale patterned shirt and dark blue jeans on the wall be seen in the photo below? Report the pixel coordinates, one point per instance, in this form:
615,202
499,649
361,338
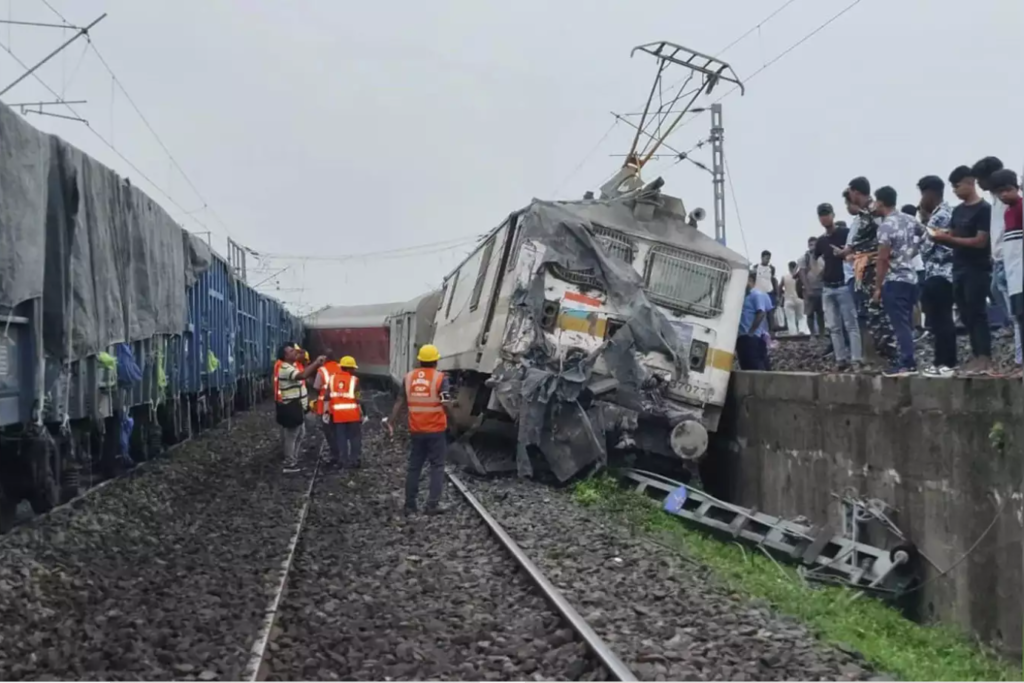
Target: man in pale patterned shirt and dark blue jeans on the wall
897,277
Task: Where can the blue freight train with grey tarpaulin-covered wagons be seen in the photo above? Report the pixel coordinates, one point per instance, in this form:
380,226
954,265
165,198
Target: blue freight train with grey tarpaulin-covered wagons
120,333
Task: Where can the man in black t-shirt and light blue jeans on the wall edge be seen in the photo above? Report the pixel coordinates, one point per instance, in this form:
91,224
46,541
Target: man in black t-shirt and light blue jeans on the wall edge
841,314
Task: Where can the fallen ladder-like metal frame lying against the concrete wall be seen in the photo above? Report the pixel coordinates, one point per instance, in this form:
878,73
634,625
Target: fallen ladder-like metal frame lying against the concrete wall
825,554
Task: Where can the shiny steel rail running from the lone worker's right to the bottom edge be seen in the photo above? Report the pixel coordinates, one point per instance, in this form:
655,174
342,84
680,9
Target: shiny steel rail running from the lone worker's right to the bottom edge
617,669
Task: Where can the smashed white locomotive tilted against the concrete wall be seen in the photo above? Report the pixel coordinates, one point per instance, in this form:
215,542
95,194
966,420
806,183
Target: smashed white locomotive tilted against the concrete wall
579,328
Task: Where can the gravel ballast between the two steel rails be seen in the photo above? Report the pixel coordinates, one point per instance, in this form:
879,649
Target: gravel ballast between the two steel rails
373,595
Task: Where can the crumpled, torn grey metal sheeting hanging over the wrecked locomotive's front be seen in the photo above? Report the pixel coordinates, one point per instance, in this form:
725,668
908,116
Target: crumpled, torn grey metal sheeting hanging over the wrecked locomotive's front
545,395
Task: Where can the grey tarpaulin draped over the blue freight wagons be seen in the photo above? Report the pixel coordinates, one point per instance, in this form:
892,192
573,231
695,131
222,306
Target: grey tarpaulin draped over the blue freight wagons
110,264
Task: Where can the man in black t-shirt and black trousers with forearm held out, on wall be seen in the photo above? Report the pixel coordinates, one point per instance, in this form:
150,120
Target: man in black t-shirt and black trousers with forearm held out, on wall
969,240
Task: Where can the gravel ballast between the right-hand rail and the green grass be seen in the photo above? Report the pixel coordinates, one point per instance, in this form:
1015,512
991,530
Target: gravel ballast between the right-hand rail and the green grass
664,616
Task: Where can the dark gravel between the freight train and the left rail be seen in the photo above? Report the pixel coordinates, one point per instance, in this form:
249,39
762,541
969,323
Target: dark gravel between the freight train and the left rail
163,575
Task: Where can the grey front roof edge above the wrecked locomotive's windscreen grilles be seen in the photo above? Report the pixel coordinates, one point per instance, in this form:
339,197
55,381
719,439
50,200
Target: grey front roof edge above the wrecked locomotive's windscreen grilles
666,227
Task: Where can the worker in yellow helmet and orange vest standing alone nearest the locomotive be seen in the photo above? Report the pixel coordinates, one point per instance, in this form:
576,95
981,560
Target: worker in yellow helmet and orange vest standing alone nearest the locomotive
426,396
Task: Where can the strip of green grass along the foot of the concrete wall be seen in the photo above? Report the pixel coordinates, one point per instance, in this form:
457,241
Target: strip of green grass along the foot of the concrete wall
890,643
